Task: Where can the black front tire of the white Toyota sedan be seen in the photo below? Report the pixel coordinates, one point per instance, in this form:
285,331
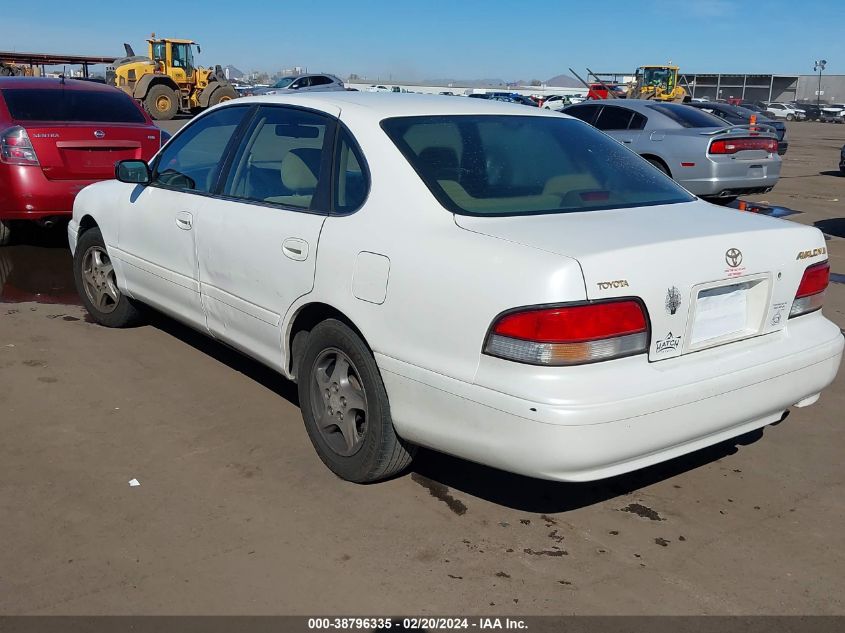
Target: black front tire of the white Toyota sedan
121,312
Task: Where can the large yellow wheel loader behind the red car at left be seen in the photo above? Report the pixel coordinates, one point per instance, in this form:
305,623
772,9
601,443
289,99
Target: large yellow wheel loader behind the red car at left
167,81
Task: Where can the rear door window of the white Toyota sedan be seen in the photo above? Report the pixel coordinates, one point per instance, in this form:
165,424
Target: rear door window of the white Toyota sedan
281,159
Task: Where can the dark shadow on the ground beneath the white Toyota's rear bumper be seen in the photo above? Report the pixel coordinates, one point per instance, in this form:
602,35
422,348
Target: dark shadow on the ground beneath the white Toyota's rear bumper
440,473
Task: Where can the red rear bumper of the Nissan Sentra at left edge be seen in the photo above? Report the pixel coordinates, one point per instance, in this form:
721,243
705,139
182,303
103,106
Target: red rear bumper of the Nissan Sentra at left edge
26,194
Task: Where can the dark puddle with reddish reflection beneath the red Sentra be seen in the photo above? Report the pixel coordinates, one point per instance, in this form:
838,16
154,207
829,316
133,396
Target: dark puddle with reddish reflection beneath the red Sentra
38,274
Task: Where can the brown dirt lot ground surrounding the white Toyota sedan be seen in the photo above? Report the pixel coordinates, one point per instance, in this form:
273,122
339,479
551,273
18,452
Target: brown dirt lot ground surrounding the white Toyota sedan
235,513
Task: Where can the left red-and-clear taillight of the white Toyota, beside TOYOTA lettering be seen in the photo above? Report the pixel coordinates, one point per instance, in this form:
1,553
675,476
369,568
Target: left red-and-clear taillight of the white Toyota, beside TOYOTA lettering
570,335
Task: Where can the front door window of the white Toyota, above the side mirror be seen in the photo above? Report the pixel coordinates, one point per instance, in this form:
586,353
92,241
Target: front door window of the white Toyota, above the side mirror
192,159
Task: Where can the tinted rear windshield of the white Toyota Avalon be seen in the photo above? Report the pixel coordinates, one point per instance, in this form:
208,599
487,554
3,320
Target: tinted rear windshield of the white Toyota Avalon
494,165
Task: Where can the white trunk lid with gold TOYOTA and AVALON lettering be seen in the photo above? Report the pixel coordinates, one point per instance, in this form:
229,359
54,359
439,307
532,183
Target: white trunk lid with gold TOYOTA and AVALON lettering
707,275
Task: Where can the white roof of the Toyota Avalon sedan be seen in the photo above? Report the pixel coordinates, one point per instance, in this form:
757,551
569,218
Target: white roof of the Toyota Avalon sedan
383,105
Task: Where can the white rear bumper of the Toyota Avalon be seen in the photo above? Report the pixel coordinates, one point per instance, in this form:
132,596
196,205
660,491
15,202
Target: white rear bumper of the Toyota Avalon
598,426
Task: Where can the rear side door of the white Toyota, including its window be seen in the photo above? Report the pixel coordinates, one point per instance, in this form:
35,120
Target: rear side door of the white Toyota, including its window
257,246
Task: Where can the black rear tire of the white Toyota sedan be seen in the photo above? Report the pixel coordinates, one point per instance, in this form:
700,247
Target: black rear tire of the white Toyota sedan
379,452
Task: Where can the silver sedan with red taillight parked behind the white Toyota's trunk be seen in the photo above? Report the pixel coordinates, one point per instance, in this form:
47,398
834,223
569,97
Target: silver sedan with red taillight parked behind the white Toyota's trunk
713,160
